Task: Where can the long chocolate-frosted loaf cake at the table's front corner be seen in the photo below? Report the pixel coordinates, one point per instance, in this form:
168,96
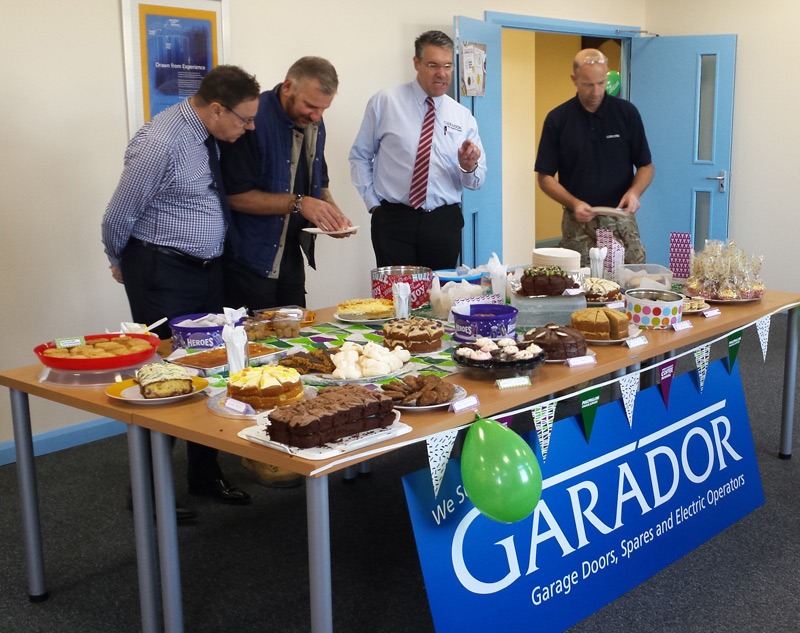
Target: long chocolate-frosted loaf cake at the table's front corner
335,413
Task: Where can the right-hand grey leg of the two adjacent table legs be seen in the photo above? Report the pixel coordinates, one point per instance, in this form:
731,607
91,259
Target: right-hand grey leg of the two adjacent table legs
169,559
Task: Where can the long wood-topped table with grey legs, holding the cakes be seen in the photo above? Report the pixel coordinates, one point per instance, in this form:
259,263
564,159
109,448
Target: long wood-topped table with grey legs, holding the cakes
150,427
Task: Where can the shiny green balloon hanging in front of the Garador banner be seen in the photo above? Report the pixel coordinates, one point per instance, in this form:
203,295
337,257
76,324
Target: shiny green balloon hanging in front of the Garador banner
500,472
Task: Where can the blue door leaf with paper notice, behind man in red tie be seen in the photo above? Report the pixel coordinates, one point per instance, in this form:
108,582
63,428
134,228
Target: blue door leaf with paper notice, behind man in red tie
483,209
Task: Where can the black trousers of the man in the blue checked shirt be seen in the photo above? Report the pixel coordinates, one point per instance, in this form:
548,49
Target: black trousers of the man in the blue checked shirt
166,285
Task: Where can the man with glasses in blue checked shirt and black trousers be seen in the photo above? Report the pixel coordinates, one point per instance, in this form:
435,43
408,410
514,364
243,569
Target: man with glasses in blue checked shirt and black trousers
164,229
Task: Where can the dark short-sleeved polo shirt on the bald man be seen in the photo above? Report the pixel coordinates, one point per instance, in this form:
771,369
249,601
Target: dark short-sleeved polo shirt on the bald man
593,153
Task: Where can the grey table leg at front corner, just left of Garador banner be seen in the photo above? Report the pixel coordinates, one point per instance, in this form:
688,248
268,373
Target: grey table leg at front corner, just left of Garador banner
319,554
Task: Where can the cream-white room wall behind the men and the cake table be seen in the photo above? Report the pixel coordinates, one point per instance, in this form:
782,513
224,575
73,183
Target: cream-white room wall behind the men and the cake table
63,131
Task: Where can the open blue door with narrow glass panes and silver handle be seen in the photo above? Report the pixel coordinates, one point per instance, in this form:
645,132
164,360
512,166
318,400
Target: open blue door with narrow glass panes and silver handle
683,87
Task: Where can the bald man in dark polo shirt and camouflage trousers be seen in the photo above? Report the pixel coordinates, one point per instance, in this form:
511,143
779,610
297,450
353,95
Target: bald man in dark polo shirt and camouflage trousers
597,145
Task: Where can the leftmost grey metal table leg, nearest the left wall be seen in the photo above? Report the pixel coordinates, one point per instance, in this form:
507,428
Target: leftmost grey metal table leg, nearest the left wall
28,496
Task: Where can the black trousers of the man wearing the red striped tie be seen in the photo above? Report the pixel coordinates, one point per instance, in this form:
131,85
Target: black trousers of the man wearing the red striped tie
402,236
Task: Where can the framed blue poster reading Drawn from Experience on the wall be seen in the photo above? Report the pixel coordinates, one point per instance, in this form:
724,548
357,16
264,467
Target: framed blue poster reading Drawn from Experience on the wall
169,48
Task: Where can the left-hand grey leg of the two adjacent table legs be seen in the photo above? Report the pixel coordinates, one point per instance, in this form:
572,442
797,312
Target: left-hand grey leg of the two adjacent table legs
142,492
